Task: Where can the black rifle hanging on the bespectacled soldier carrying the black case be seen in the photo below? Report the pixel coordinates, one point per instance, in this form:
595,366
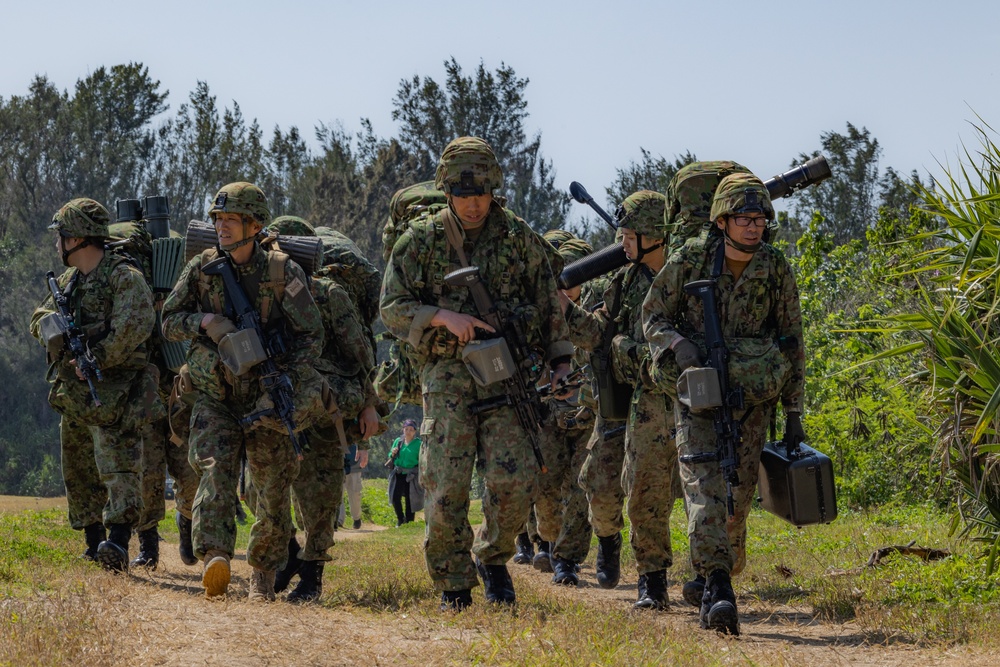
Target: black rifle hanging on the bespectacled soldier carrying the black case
727,428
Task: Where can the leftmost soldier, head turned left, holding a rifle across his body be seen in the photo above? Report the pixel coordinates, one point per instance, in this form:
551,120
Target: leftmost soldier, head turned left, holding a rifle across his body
101,445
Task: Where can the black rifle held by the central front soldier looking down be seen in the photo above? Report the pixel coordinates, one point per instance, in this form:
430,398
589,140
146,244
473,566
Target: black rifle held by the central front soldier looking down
519,392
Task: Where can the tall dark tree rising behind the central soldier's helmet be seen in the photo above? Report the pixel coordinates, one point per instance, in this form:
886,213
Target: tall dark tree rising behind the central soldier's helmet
490,105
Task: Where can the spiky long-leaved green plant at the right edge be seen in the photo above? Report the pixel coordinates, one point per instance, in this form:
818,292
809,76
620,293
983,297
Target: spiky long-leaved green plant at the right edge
955,322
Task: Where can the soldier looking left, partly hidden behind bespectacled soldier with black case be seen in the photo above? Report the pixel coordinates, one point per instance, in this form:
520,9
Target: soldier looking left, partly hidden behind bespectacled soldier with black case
650,464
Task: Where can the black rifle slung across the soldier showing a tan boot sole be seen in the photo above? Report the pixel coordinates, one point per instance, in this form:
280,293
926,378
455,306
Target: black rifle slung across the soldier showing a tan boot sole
277,384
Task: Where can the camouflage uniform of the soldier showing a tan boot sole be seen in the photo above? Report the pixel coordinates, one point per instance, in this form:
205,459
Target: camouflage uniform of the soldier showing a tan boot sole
217,437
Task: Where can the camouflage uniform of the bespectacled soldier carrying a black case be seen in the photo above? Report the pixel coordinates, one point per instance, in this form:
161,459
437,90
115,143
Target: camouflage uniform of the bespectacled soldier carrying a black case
755,311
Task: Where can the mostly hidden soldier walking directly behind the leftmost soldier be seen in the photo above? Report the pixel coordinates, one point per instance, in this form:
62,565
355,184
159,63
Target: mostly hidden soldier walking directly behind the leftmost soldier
159,455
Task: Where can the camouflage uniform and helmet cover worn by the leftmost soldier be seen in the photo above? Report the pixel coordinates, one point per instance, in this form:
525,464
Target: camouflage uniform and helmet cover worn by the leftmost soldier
101,446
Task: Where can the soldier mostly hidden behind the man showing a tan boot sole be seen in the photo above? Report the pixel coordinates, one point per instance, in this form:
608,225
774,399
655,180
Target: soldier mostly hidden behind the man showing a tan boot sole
347,364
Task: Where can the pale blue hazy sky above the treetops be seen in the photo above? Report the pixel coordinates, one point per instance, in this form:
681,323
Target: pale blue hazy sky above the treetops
758,83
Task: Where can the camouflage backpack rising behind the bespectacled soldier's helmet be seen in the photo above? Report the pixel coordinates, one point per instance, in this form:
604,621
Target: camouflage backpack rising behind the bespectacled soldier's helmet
689,200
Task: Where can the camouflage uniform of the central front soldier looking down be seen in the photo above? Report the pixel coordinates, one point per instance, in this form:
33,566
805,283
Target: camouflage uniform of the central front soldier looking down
515,269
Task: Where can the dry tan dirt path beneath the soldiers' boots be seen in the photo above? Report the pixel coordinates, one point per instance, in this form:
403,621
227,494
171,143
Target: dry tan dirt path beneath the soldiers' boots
162,618
